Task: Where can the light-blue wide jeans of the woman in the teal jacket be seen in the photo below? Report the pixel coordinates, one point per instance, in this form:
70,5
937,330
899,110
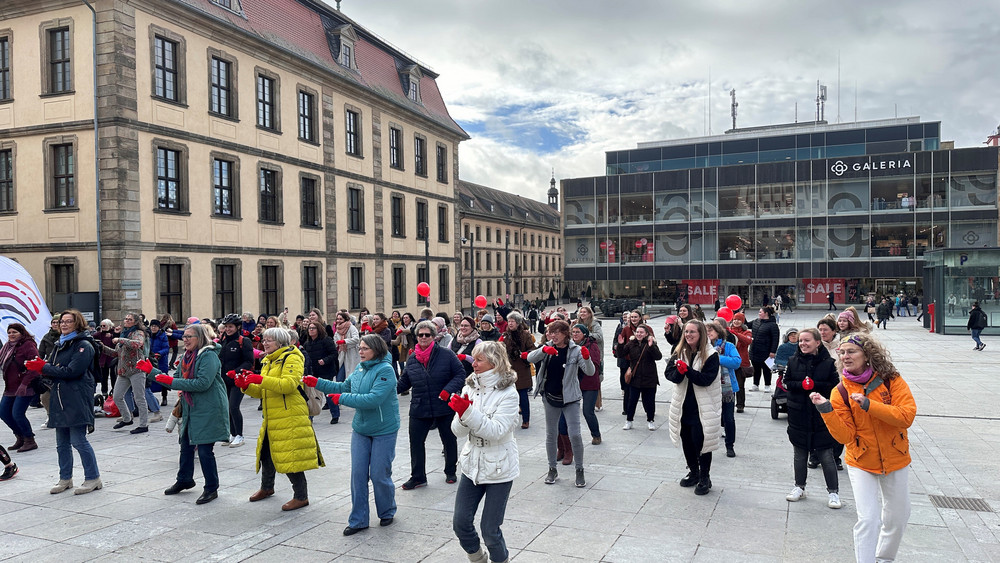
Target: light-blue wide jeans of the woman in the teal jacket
371,457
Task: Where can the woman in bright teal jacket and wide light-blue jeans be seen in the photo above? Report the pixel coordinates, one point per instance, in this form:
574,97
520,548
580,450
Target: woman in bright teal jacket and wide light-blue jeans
371,390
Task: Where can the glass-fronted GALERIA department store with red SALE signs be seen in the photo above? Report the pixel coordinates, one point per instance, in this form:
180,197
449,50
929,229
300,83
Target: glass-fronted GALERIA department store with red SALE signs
802,209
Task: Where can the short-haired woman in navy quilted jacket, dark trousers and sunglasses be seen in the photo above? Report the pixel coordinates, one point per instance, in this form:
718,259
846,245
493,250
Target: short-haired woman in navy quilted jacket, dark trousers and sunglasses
429,370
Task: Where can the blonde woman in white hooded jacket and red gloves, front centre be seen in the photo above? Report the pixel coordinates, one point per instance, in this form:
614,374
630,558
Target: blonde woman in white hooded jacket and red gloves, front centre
487,416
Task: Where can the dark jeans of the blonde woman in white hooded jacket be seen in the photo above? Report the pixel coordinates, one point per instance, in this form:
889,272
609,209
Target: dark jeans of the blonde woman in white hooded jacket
463,521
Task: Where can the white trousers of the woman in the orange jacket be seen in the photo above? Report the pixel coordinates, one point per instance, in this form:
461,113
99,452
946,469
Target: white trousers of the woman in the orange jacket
883,505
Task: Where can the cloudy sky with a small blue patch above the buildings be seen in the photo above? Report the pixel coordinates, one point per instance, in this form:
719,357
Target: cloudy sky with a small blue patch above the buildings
542,85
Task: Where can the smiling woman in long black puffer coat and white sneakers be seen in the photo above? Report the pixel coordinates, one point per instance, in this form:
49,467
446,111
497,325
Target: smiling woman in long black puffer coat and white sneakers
806,430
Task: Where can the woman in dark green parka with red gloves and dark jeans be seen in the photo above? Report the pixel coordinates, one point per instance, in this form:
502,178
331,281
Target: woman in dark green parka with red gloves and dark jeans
204,409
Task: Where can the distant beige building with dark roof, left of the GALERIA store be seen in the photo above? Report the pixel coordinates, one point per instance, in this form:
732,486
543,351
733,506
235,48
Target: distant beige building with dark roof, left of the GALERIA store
511,245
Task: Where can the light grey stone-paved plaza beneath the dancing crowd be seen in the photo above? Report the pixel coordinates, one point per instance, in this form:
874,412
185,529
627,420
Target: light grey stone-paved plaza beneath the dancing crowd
632,508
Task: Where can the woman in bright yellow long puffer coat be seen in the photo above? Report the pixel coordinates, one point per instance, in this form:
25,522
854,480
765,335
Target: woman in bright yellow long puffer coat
287,443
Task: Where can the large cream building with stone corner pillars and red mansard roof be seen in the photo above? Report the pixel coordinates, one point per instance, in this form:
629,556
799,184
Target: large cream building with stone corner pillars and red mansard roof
247,153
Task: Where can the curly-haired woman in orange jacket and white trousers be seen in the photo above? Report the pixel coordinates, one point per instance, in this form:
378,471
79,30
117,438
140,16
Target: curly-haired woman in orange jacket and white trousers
869,413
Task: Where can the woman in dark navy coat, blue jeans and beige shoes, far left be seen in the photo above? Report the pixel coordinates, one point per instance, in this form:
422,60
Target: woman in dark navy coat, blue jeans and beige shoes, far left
71,411
